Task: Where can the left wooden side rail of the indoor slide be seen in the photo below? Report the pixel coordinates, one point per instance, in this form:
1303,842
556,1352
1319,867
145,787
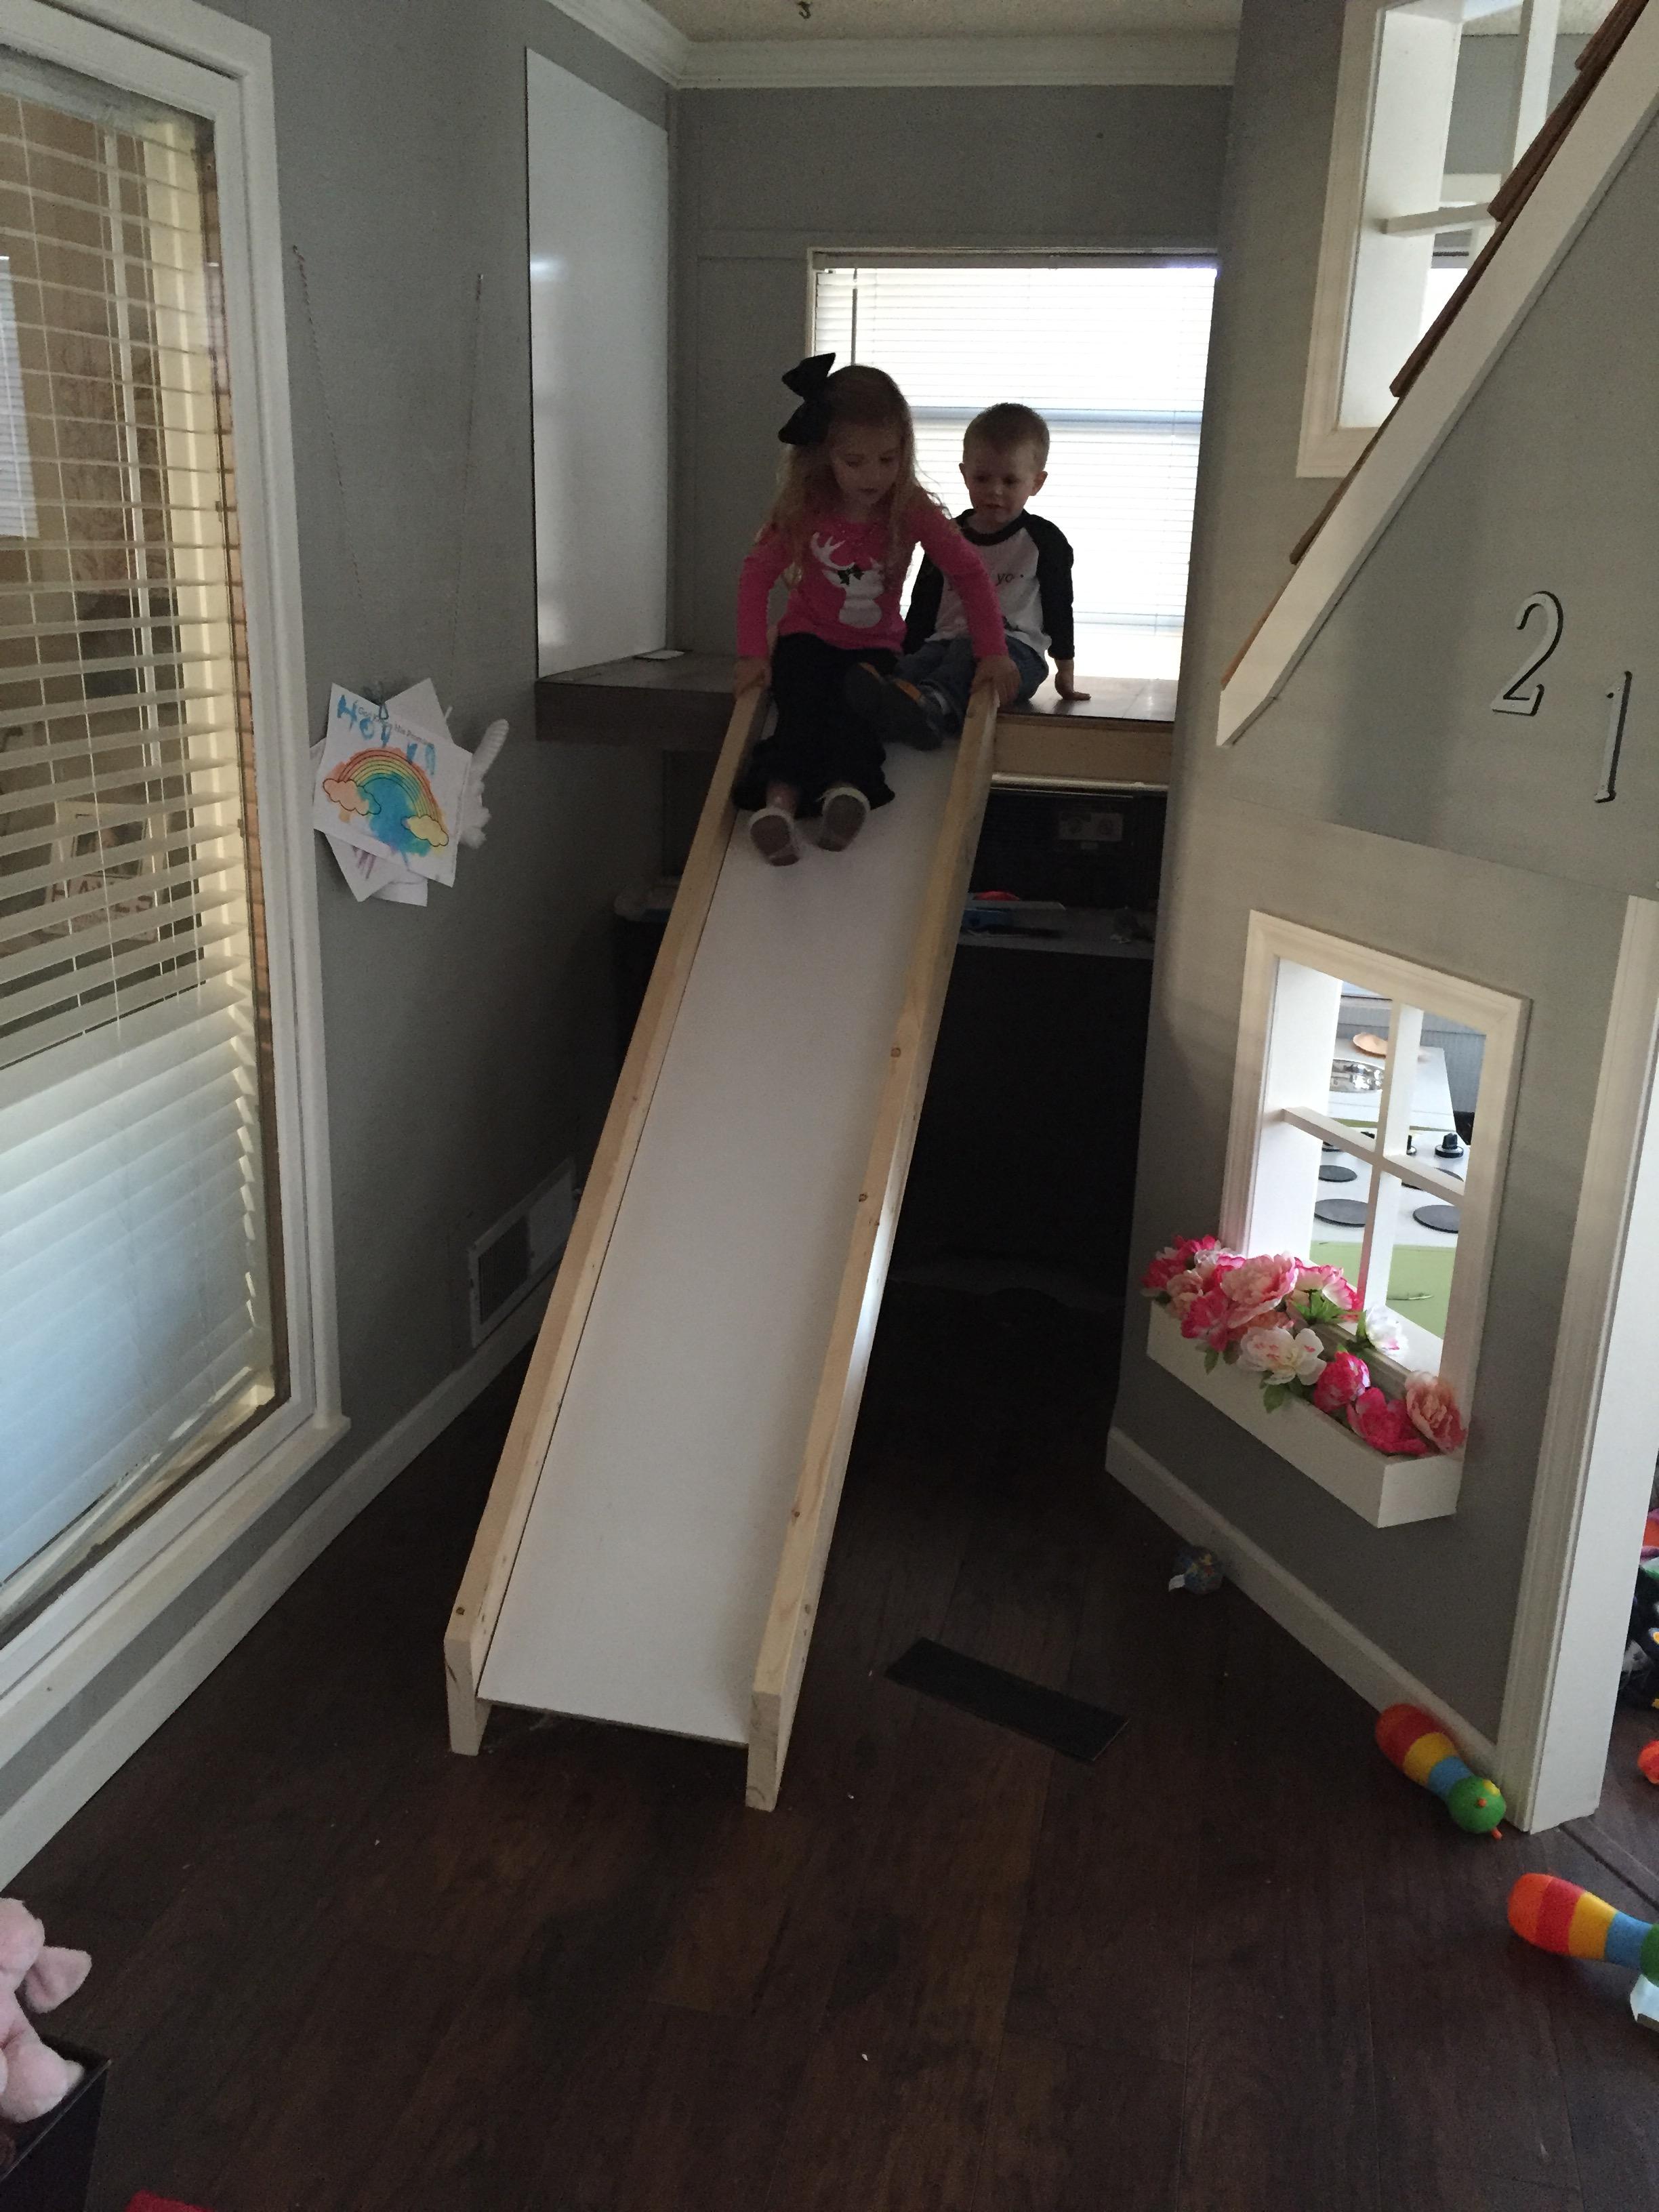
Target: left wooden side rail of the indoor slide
483,1587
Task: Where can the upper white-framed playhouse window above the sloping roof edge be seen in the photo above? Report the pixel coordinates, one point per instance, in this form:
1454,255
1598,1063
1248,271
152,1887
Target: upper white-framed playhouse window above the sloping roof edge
1434,107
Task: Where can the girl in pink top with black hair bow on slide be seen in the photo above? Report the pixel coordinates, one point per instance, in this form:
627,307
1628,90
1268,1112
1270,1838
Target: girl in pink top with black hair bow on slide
844,528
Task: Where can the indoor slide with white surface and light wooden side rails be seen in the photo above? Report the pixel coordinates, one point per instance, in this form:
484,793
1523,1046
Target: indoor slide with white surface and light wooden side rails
660,1521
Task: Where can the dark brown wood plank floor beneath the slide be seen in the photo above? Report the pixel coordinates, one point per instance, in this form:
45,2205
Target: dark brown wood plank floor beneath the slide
1235,1968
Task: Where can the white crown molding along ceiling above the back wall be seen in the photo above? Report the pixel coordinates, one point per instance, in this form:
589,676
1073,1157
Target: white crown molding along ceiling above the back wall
647,36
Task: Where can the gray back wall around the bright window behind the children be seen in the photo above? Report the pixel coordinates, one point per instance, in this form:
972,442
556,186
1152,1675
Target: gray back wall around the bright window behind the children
766,178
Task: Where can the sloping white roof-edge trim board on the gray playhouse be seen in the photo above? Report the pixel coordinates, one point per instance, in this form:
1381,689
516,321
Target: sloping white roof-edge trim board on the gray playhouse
1614,121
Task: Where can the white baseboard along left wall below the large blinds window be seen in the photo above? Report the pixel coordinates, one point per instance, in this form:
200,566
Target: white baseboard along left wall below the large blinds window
83,1771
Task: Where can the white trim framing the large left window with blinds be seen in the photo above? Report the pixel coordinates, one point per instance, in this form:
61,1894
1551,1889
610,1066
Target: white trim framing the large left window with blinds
121,1594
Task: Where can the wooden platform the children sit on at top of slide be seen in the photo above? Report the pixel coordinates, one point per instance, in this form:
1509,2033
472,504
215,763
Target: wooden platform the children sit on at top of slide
1116,740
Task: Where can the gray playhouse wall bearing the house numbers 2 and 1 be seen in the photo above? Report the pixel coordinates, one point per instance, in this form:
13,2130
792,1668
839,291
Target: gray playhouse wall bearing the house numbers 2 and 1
1381,800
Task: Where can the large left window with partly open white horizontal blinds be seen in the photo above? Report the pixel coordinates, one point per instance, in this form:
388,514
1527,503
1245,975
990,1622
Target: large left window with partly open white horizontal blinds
138,1315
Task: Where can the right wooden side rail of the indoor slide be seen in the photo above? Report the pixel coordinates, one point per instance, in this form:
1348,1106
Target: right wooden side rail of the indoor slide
842,1381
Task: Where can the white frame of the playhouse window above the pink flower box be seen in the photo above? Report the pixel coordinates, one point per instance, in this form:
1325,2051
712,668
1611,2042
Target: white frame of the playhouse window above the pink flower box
1280,1061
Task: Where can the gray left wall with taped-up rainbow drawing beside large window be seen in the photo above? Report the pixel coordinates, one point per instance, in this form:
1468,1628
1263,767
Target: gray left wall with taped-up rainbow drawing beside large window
401,140
